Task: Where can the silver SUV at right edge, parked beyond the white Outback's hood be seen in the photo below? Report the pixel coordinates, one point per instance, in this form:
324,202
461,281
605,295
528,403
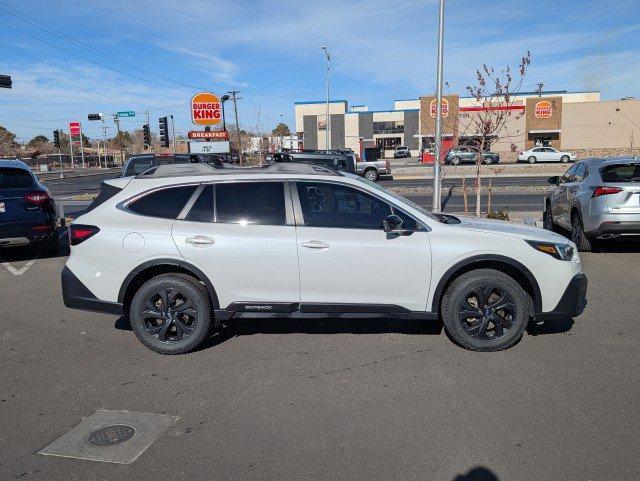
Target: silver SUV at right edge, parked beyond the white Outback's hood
596,199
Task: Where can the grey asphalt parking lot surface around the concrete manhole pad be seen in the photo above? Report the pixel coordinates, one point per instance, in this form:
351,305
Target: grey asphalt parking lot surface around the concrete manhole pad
332,399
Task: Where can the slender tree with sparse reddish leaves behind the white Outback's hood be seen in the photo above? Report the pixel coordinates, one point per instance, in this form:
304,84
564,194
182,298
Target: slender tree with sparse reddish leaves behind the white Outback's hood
494,91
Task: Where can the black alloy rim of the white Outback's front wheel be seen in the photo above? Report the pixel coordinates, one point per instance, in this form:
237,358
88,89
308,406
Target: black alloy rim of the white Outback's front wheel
487,312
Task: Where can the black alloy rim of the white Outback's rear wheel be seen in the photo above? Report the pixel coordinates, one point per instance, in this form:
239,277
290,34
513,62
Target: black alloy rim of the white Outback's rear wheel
170,315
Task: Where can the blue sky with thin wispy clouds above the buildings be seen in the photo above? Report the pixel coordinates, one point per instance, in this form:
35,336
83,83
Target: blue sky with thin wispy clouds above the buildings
155,54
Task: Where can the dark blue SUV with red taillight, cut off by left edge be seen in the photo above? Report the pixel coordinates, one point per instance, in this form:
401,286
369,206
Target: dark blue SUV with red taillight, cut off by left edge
27,212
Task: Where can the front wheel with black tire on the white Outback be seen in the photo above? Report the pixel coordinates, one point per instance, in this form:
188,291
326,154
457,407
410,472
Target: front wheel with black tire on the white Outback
485,329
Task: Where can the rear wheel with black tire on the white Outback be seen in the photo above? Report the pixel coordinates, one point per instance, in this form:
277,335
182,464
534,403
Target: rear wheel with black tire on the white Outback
176,330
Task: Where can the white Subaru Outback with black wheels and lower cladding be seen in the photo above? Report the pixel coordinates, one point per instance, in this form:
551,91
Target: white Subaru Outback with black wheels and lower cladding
179,253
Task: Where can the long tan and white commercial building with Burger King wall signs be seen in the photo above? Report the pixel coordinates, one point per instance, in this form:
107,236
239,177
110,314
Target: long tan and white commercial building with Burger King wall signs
565,120
